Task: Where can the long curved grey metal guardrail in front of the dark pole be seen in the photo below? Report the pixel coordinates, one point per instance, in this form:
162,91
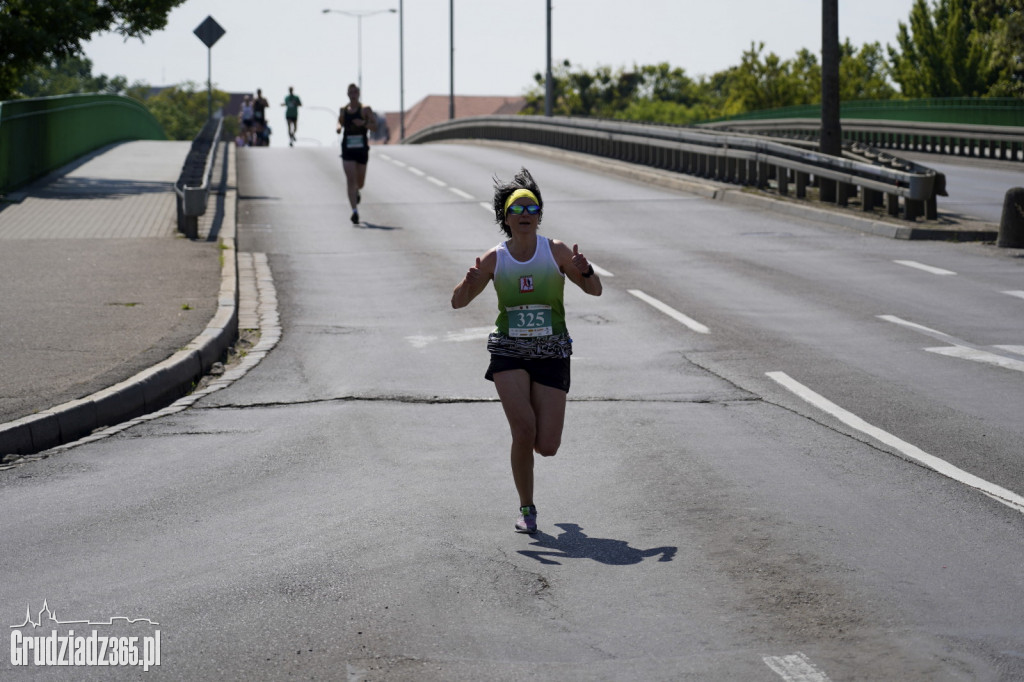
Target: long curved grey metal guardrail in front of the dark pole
736,158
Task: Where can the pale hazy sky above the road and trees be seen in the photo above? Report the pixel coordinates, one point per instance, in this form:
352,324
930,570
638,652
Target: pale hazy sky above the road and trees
499,46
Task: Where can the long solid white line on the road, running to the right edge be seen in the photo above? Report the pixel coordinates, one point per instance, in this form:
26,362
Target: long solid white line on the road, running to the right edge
999,494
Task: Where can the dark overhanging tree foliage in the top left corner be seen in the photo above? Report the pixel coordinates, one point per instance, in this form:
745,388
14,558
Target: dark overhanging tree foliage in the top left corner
35,32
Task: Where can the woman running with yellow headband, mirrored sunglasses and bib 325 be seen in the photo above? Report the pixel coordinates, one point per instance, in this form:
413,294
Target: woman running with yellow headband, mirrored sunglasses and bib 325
531,347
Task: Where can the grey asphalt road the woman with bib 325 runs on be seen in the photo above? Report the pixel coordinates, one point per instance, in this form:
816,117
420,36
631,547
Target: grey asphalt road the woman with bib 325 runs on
345,511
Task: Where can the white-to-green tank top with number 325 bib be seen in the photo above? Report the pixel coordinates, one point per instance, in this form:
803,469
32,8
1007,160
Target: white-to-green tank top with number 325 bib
530,294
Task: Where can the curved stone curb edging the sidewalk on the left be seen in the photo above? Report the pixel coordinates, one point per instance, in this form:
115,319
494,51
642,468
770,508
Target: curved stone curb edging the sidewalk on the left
158,387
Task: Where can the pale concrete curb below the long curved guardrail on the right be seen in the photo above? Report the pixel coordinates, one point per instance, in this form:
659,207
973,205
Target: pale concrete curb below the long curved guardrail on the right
733,195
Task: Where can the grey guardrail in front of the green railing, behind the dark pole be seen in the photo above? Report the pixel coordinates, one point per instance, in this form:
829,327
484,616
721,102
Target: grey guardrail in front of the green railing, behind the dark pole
1003,143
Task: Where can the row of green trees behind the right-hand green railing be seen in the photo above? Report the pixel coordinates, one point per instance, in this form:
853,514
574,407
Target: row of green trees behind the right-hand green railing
972,49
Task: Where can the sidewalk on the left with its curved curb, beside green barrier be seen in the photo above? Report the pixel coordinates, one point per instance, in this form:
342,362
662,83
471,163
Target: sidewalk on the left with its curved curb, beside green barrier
107,312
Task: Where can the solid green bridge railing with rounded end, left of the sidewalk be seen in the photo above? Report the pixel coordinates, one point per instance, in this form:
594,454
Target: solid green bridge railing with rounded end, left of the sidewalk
40,136
